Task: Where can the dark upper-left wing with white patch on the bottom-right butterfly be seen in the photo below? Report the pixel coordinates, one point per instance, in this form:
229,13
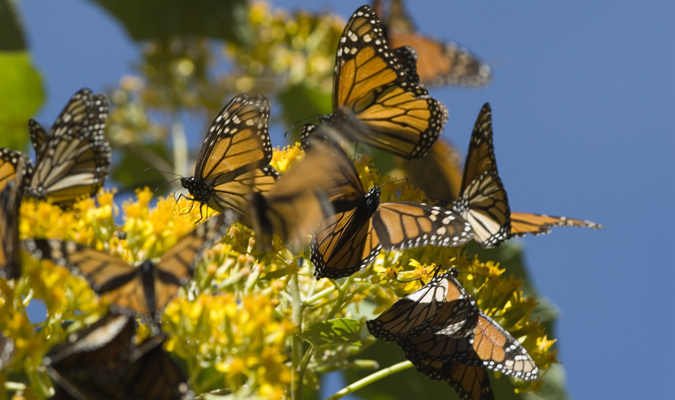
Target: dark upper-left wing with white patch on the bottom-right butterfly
441,305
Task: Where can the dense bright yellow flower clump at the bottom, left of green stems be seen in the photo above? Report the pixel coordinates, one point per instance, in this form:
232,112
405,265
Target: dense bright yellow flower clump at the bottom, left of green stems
239,336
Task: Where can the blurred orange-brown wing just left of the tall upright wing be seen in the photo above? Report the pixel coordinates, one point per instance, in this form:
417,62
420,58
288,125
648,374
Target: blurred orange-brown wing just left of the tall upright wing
438,174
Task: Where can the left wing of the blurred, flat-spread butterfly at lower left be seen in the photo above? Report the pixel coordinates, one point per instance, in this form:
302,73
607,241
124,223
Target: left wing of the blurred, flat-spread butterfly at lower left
119,283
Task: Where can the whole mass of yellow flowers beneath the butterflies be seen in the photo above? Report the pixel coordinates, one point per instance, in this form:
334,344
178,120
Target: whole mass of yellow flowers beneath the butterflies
234,324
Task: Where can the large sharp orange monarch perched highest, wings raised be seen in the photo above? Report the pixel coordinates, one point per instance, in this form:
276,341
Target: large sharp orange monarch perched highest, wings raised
374,102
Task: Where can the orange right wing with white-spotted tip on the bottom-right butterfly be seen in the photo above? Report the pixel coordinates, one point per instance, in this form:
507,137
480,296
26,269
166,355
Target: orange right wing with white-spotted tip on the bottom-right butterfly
498,350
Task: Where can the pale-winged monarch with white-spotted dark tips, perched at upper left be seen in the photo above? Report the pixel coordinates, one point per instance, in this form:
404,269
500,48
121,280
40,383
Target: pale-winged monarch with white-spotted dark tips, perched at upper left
73,160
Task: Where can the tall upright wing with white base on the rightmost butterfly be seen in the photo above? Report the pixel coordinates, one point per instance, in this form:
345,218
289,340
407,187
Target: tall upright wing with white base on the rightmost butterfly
483,201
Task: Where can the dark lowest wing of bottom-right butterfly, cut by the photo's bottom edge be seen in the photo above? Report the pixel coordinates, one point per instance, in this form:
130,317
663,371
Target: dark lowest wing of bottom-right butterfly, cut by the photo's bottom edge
470,382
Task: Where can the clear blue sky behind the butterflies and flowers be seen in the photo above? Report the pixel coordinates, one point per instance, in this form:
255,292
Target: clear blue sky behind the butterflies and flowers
583,104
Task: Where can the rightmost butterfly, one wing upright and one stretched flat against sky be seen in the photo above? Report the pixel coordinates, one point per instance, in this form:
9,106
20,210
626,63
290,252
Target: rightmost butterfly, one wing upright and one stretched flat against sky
483,200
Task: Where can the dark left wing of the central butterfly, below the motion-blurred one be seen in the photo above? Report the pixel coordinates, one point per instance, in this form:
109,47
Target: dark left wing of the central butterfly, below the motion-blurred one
345,243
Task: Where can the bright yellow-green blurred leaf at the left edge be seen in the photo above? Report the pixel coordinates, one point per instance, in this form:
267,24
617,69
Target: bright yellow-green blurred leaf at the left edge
20,97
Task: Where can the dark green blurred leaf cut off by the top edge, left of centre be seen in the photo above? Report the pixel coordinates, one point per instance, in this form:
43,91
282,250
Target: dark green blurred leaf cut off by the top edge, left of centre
160,19
